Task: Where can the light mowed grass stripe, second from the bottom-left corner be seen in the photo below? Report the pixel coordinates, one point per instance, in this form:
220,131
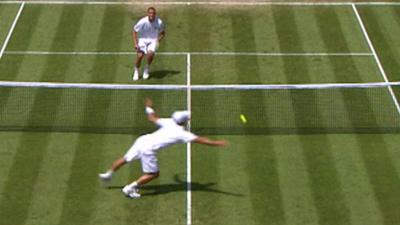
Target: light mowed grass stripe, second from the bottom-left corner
50,200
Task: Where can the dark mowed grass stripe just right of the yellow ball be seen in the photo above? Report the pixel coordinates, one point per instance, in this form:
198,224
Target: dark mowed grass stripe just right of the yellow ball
262,169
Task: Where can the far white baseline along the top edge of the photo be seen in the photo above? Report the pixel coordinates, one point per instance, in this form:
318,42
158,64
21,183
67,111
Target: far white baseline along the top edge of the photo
243,3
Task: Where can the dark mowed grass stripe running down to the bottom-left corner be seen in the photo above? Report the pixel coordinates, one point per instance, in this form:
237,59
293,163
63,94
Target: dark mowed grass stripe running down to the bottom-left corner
23,175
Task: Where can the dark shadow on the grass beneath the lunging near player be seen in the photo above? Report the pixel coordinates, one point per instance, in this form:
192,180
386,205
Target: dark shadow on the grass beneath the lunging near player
180,186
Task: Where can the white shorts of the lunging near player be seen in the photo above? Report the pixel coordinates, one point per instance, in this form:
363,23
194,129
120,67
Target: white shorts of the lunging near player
148,158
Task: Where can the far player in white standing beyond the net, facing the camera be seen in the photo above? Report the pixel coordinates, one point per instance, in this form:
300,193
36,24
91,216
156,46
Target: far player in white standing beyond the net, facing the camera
146,34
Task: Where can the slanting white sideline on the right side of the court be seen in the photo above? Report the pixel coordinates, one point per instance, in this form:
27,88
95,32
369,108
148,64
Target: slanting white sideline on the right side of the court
378,62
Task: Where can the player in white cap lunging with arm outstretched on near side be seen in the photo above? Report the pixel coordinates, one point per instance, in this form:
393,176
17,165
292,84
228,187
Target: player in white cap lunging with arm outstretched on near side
171,131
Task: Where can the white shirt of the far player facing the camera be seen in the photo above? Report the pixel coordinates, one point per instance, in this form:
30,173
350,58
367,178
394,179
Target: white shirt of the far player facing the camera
147,29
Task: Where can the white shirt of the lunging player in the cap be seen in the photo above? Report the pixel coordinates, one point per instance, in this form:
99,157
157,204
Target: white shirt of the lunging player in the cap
168,133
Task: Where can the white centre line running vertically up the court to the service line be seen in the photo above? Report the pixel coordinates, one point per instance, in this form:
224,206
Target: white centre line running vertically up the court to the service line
189,146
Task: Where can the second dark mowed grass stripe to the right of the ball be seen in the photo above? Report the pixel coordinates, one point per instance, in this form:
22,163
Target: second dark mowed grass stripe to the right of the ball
325,185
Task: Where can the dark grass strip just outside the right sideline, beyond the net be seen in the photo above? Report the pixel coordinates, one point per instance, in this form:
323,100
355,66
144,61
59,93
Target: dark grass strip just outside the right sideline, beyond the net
384,49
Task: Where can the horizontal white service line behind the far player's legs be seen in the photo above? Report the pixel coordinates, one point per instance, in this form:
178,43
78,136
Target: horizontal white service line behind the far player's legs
197,53
